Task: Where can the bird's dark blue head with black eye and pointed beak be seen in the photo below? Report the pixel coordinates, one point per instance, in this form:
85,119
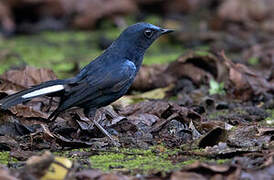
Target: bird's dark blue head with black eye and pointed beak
136,38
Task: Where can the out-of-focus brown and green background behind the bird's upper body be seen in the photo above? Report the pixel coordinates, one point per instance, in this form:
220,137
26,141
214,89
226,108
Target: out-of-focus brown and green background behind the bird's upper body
64,35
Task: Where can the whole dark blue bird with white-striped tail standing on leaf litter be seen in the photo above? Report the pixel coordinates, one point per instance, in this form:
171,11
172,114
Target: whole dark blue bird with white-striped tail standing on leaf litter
103,80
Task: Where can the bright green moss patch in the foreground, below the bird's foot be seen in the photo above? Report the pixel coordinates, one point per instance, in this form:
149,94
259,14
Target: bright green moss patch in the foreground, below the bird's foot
132,160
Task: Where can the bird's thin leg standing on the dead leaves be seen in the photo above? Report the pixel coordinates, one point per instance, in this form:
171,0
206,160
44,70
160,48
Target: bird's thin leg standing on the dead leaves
91,115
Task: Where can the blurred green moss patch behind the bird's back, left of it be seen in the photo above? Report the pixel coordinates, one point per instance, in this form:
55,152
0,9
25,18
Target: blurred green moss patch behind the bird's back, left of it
55,50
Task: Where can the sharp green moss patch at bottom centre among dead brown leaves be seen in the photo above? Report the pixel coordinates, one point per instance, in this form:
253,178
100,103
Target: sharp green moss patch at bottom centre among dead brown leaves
155,159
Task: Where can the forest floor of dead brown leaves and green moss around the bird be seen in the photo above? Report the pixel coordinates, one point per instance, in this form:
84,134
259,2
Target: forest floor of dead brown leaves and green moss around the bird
192,112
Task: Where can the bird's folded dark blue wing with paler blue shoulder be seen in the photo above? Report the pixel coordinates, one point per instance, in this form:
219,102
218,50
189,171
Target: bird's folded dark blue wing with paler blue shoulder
107,81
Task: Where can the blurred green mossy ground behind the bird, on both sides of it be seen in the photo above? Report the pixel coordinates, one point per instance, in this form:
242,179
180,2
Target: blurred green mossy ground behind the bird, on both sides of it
60,51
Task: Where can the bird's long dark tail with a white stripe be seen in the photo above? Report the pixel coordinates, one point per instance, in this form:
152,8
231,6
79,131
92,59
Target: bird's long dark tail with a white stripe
45,88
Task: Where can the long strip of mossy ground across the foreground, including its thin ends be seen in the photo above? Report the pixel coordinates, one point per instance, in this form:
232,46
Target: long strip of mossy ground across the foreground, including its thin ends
134,161
